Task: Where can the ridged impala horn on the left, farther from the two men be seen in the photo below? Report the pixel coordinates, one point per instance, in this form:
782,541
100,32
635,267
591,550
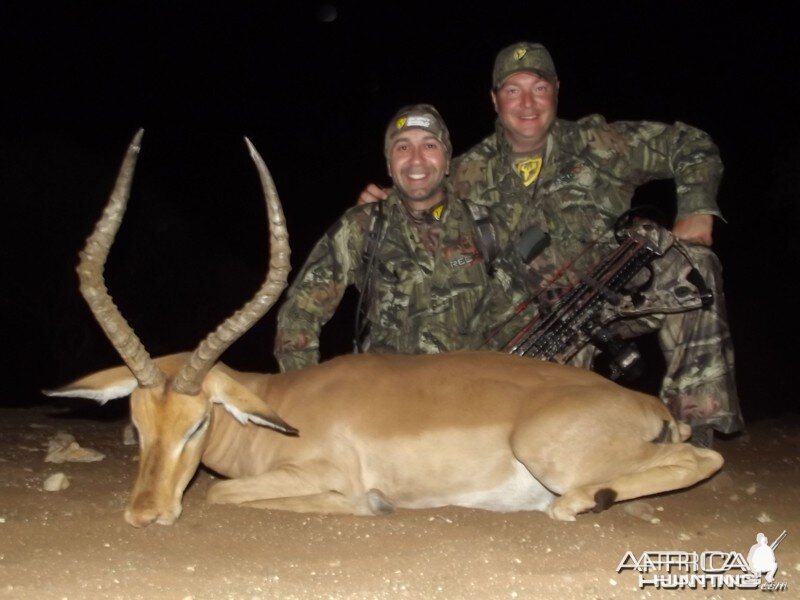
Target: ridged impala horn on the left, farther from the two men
92,281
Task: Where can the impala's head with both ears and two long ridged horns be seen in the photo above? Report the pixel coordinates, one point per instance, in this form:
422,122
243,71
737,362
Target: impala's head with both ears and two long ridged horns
172,397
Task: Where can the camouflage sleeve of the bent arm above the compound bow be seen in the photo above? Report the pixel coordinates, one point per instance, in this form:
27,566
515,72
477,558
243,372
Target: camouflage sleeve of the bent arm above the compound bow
661,151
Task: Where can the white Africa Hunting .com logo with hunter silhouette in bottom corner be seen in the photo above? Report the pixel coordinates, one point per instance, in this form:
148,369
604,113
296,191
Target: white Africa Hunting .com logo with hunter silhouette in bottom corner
712,569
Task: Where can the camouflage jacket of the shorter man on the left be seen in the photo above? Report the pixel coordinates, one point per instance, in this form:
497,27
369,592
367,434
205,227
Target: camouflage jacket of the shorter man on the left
418,302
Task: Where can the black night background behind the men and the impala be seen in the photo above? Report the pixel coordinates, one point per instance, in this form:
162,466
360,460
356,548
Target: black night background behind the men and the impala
313,86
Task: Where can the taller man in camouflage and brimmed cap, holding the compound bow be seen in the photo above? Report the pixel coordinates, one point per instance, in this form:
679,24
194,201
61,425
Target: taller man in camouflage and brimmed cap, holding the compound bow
573,180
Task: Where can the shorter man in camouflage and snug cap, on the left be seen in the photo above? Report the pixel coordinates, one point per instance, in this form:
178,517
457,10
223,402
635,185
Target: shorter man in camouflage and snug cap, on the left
422,277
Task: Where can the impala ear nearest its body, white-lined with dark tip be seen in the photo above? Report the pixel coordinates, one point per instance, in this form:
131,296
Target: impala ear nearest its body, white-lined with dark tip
242,404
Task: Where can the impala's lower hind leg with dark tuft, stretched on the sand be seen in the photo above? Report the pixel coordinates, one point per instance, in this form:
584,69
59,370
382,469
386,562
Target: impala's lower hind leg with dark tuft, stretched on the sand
668,467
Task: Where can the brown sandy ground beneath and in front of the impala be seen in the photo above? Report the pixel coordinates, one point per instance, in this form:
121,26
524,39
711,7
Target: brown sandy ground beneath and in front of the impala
74,543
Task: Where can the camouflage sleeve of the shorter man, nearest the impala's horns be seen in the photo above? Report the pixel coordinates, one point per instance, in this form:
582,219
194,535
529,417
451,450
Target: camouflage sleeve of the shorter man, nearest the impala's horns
317,291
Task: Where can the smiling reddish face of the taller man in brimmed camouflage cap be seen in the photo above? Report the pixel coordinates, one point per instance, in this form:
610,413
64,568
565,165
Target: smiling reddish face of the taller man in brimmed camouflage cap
526,105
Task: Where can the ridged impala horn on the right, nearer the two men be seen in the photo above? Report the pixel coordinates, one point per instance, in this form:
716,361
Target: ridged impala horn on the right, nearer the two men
190,377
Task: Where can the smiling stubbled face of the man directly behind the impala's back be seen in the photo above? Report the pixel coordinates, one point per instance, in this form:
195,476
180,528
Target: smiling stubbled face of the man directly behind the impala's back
418,165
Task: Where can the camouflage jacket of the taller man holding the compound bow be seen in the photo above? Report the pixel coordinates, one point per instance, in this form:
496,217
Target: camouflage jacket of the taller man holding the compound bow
591,170
